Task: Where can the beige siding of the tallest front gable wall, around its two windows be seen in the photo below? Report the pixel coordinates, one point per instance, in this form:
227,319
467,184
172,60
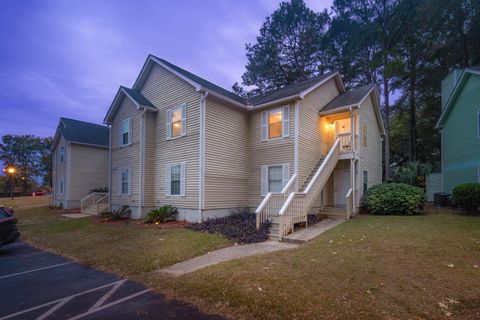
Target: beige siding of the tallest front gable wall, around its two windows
165,90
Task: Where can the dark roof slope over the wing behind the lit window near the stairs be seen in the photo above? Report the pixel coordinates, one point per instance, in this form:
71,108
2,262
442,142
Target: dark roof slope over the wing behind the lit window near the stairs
291,90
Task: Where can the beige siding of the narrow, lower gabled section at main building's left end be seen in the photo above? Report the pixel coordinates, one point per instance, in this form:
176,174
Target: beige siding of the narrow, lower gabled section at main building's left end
126,156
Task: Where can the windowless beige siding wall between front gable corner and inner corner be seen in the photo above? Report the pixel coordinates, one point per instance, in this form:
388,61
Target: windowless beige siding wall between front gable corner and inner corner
226,156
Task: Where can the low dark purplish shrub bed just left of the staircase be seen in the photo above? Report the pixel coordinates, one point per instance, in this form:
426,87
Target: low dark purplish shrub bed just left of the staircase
240,226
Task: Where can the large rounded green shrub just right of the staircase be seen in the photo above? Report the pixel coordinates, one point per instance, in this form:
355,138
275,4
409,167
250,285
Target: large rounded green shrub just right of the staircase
395,199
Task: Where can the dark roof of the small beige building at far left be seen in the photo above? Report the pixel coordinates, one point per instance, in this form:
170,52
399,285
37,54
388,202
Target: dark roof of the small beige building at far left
81,132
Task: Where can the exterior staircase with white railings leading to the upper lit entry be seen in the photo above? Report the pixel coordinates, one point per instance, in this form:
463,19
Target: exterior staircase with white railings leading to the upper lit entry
288,207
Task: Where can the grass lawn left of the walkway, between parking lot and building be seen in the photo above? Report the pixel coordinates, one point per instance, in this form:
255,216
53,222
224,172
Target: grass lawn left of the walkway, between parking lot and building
127,249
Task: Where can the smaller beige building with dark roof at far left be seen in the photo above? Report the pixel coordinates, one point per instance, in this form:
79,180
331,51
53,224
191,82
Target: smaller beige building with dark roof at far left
80,161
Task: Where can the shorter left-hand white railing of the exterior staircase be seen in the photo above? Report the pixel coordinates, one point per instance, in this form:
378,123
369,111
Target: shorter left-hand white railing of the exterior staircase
273,201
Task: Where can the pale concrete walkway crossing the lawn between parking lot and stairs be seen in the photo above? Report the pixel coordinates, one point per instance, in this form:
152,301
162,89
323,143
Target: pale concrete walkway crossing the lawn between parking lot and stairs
226,254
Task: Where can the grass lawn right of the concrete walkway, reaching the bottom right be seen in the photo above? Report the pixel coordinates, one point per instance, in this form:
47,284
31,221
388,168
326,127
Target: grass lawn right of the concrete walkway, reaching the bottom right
372,267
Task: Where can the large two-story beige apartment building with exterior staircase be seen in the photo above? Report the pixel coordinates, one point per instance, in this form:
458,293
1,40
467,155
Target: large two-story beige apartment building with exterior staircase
181,140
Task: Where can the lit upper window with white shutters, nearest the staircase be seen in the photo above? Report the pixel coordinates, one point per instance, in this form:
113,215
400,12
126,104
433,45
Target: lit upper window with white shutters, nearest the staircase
275,123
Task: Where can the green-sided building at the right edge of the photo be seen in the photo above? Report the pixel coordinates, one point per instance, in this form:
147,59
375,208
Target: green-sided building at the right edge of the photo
460,128
